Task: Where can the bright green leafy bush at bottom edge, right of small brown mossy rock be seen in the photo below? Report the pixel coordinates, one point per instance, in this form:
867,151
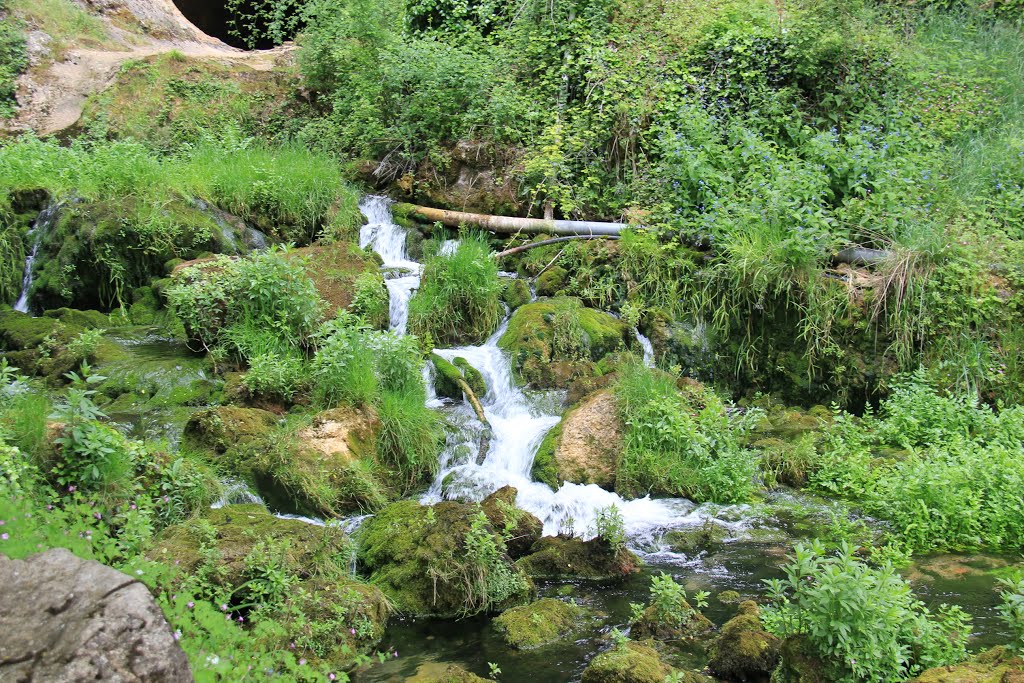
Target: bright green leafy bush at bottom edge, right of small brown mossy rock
864,622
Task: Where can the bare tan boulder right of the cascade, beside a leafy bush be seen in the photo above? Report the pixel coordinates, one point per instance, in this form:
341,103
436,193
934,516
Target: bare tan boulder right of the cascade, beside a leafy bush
586,445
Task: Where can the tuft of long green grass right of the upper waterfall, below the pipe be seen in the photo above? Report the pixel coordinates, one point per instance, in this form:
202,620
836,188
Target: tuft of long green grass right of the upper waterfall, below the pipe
459,301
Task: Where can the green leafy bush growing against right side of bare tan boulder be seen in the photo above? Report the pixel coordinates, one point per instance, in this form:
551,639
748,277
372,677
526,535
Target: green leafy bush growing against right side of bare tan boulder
680,444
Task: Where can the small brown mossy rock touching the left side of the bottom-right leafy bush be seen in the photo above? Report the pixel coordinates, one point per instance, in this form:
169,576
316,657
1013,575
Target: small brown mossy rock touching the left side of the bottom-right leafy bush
744,651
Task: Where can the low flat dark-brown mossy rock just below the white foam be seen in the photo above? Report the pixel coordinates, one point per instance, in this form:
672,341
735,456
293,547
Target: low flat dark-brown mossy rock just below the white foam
567,559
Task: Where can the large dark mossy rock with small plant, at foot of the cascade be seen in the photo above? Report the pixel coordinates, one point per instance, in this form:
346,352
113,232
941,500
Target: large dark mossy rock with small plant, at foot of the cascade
418,557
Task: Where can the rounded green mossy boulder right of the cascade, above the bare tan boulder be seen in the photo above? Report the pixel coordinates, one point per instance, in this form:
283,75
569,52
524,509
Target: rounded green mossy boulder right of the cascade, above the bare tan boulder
554,341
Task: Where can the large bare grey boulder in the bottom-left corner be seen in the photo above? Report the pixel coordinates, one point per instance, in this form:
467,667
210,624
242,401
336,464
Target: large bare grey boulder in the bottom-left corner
65,619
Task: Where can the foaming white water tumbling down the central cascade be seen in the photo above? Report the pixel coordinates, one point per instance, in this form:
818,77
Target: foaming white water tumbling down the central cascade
520,422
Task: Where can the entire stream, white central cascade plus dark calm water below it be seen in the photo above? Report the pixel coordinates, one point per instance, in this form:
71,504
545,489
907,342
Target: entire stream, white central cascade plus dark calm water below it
757,537
